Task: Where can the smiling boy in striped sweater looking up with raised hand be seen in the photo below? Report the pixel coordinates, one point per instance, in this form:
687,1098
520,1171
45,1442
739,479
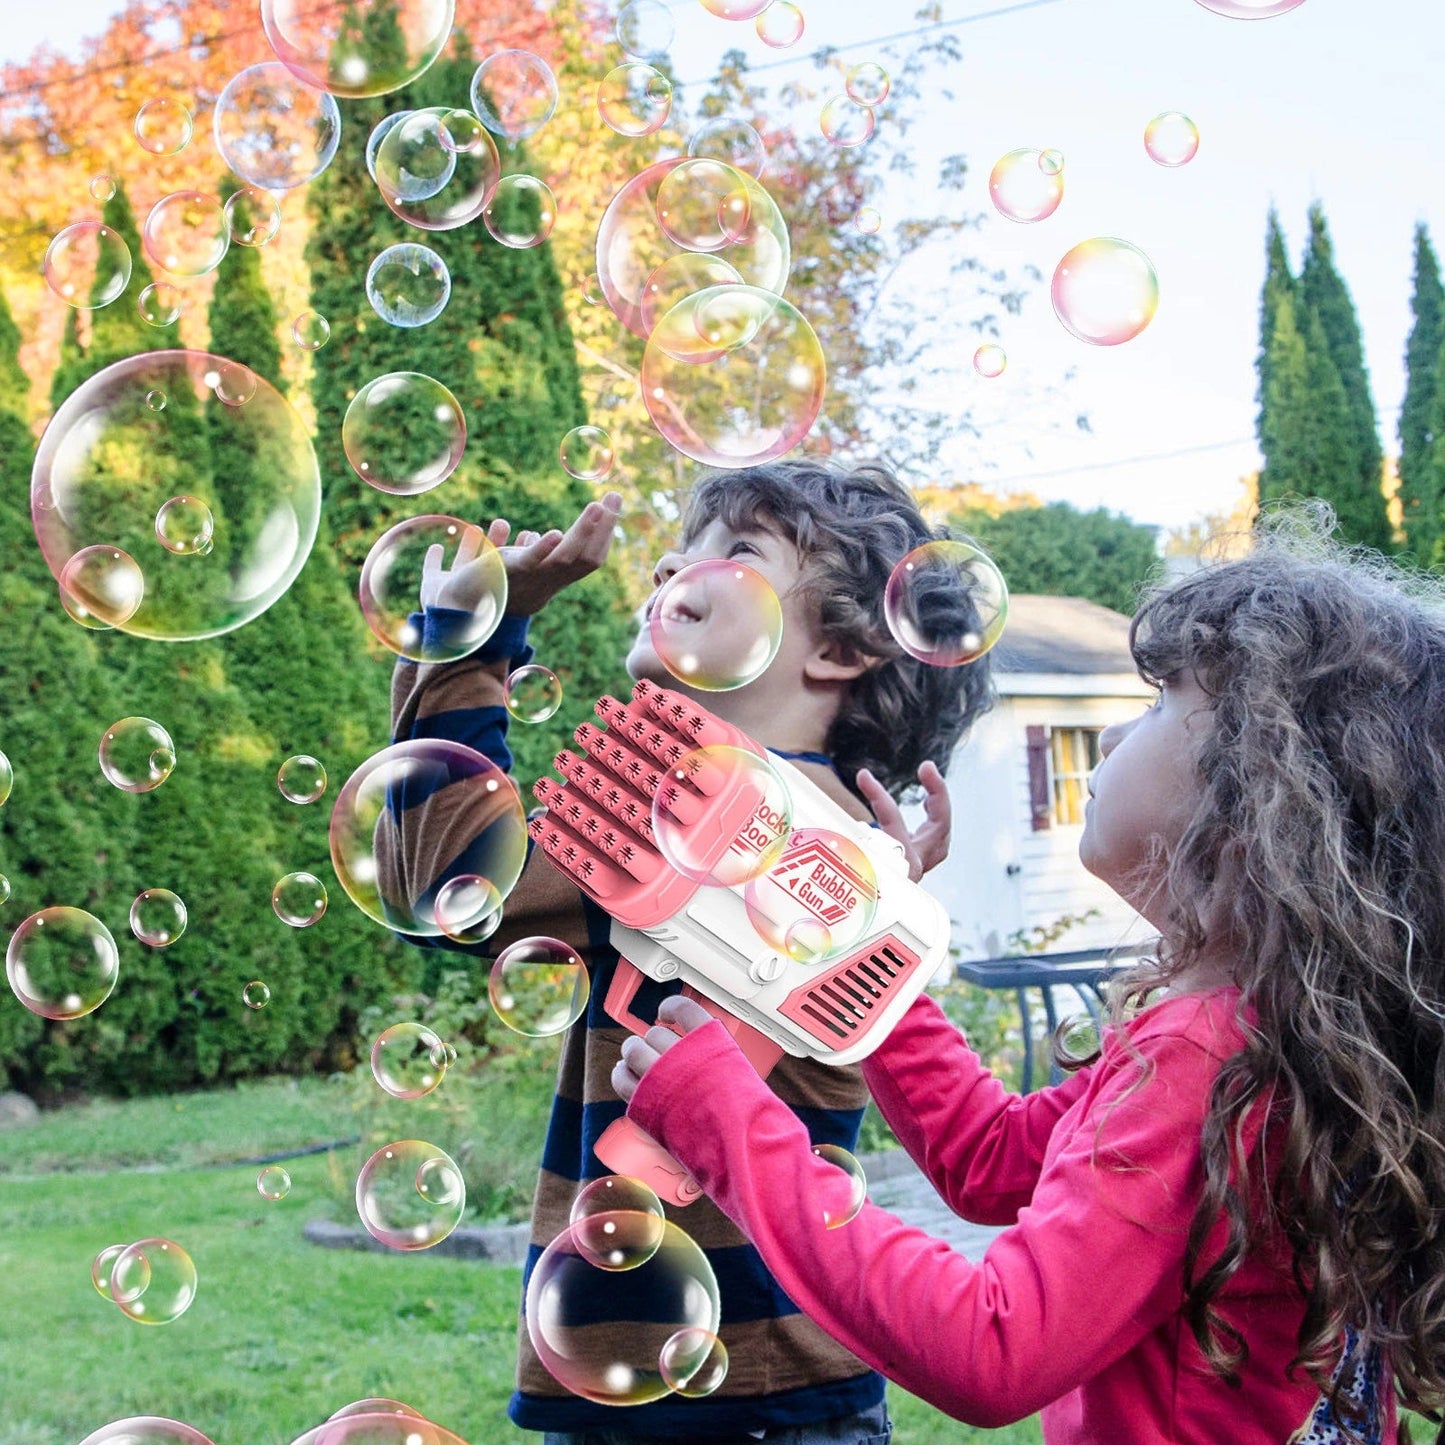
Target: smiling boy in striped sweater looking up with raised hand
862,719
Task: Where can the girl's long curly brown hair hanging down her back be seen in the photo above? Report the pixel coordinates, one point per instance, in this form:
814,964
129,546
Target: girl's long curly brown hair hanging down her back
1324,801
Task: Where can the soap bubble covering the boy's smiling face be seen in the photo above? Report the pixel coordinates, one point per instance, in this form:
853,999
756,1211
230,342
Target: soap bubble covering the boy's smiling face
716,625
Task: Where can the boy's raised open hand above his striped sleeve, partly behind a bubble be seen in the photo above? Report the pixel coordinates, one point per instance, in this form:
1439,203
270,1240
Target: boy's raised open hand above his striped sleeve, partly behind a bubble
538,567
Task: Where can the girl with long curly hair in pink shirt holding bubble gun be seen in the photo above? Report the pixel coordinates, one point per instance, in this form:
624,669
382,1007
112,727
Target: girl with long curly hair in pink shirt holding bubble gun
1228,1226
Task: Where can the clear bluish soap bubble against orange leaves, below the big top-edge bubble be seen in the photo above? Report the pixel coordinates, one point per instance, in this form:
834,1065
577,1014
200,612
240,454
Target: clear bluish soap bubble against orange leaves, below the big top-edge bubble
274,131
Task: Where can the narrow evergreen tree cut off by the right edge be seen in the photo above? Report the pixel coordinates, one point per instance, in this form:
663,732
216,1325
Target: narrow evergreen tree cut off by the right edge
1420,486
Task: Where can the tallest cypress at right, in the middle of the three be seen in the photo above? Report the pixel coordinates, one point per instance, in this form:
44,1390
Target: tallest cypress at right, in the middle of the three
1323,293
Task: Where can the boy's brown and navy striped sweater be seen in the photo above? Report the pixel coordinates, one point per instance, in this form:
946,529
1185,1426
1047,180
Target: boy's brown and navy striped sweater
782,1369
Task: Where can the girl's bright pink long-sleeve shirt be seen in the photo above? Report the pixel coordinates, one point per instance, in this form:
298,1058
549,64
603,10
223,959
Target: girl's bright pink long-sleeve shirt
1076,1310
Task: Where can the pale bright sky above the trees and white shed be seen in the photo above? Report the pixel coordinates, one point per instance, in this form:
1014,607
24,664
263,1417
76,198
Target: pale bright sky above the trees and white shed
1332,102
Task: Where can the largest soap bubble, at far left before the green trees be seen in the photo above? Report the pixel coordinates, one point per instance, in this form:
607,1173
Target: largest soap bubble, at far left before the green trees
109,463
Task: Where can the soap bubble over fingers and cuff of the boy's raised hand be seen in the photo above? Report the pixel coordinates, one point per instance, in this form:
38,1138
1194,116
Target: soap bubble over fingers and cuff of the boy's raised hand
398,567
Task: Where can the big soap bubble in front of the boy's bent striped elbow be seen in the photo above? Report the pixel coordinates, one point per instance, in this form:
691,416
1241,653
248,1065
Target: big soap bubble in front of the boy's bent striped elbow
389,800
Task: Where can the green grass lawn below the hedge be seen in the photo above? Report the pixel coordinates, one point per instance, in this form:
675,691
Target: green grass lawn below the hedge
281,1333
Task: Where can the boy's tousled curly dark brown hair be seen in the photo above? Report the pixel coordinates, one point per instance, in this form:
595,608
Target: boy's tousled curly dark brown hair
852,527
